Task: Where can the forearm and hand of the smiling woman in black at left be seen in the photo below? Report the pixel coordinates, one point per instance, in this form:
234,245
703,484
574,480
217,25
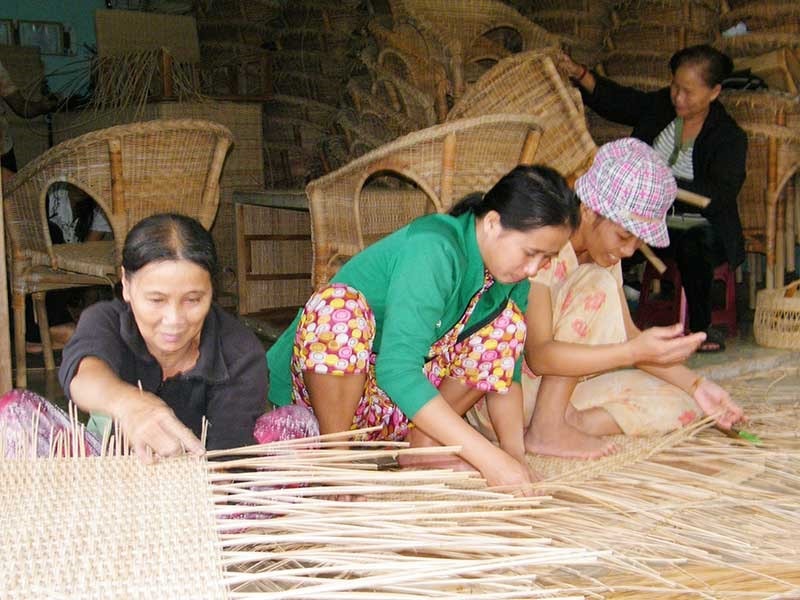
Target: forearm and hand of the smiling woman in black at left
147,422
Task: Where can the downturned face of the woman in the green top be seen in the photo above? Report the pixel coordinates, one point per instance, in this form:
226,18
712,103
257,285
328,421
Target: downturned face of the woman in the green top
511,255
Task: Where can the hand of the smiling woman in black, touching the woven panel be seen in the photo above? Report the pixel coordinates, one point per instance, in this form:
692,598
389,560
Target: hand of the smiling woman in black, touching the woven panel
153,429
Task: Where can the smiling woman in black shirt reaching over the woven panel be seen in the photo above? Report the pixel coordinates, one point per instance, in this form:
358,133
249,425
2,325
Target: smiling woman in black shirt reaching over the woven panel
167,357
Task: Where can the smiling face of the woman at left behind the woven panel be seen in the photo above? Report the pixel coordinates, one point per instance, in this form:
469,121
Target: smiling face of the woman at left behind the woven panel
170,300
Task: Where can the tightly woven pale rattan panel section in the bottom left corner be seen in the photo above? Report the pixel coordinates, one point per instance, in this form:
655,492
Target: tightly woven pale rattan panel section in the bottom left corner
108,528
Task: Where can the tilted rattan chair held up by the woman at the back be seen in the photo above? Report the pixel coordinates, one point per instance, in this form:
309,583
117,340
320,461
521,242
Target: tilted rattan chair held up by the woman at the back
528,83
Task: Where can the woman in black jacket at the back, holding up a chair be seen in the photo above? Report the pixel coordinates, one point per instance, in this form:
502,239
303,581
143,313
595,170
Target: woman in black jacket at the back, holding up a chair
706,151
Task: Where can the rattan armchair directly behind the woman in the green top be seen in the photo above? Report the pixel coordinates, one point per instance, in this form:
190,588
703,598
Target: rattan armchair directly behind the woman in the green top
444,162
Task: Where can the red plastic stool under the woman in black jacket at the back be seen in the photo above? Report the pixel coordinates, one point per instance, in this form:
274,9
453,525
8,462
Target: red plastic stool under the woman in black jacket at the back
658,311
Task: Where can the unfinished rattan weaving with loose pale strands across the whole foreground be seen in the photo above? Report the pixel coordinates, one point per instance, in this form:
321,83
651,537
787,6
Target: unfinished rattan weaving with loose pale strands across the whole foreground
693,514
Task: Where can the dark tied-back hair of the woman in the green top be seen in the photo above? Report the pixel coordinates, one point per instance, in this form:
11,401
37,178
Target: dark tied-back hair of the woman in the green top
529,197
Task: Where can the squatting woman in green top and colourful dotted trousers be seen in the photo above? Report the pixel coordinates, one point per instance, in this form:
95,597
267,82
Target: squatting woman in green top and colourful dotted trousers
418,327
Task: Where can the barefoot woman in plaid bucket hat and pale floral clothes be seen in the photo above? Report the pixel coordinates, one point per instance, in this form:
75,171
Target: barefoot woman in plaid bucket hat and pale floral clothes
580,331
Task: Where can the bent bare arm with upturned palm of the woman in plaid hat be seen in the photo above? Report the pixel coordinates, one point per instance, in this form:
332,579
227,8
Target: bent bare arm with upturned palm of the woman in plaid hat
547,356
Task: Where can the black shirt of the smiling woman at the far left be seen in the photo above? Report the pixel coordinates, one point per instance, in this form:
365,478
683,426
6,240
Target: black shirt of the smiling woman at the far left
228,385
